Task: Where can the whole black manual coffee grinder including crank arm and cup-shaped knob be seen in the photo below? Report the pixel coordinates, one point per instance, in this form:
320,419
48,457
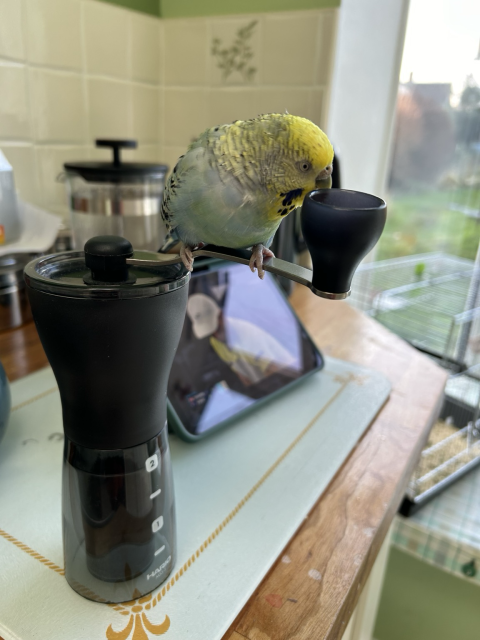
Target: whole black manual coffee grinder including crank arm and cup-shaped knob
110,320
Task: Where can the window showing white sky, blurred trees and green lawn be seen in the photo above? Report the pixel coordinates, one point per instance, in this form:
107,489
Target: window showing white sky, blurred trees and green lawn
434,181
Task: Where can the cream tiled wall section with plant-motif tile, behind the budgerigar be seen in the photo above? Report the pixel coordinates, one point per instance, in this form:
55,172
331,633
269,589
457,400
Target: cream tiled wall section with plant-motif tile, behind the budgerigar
292,55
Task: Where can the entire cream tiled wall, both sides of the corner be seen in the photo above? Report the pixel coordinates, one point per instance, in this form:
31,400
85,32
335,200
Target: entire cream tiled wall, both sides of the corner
75,70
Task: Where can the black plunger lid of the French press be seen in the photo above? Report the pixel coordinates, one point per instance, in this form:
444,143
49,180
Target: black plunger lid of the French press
116,171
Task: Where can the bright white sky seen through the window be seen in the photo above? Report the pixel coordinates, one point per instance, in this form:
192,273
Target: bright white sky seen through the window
442,42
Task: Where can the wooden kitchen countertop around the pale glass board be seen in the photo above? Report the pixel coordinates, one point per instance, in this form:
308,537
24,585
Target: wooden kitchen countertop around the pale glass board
346,528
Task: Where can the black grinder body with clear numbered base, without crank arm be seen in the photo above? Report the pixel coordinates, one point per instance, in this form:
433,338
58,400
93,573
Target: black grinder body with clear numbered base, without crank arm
111,346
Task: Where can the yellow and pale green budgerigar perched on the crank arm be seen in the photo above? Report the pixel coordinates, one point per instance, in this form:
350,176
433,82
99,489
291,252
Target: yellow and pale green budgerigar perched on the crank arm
238,181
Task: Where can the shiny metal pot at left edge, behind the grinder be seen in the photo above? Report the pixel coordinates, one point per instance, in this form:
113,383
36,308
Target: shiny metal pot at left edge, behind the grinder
14,305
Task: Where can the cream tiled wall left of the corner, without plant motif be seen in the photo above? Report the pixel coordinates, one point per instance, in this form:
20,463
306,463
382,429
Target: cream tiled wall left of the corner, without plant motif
71,71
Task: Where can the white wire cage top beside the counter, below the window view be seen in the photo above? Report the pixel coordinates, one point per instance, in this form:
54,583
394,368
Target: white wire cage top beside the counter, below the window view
430,300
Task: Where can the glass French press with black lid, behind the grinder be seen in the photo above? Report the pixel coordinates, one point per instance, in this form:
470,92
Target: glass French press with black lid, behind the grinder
116,198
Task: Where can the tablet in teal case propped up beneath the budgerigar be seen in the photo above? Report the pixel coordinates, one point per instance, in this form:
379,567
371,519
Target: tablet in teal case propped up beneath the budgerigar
241,345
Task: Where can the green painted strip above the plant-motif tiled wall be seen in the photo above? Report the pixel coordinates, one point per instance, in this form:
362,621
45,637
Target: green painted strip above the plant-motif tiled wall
185,8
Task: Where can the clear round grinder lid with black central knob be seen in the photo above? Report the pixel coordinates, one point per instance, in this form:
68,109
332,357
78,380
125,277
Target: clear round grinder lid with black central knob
100,271
